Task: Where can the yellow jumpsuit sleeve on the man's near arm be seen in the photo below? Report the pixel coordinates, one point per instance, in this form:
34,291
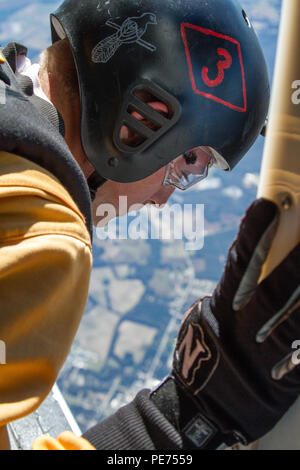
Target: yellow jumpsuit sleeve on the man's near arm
45,264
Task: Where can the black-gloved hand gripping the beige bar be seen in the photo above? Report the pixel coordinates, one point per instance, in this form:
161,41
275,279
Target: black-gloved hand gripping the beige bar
233,374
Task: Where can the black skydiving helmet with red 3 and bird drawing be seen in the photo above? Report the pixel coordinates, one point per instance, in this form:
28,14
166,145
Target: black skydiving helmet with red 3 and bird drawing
201,58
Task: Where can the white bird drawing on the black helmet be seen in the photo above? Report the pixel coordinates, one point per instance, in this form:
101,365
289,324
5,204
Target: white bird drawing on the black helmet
129,32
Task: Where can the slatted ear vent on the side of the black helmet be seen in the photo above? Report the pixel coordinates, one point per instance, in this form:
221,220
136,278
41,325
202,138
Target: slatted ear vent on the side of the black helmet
147,113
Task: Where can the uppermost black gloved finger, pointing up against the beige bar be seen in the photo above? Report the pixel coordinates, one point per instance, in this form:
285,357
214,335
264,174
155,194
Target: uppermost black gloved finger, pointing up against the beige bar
248,252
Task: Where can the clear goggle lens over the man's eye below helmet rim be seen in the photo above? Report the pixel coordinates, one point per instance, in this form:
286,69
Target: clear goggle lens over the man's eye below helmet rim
189,168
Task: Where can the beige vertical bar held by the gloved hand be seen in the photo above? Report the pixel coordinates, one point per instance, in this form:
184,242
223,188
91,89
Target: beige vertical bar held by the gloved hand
280,173
